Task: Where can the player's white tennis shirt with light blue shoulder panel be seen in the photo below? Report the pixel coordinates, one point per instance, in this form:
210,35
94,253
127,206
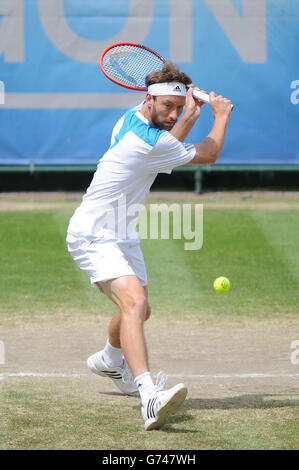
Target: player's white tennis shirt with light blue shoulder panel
124,176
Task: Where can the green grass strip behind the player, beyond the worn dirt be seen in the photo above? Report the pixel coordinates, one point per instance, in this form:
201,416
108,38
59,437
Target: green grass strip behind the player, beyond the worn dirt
257,250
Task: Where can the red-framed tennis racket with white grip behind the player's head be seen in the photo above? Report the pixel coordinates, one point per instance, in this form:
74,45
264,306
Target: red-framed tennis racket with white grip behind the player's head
127,64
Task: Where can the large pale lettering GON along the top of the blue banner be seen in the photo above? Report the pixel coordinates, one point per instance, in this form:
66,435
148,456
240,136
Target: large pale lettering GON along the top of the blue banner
246,32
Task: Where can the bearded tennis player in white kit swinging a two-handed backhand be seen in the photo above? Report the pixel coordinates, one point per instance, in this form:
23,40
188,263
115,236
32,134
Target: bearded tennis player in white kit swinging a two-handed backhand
102,236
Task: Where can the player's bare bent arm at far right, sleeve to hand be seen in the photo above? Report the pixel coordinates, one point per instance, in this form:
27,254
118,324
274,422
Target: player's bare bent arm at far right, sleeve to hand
208,151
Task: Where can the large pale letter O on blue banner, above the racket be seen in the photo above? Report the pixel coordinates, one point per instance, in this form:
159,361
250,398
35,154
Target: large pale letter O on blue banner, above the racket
84,50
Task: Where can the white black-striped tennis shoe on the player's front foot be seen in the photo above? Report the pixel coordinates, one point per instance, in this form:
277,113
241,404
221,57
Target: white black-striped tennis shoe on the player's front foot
161,404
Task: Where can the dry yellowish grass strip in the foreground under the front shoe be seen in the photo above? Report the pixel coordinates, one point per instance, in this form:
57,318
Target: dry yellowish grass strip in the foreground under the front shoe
57,416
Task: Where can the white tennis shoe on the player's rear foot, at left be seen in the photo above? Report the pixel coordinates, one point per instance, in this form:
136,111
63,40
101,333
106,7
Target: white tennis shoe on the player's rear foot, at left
121,376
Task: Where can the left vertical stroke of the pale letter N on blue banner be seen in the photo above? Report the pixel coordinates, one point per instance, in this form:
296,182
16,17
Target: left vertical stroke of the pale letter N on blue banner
180,30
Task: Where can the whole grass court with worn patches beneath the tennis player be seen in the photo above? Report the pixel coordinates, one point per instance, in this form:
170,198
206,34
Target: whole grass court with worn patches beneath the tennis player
255,245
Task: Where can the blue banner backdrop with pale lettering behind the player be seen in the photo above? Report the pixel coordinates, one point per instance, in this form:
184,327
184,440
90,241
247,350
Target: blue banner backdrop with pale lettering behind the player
56,108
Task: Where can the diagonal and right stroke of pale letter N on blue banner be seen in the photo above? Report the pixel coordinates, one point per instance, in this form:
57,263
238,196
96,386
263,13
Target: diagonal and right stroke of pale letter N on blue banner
247,33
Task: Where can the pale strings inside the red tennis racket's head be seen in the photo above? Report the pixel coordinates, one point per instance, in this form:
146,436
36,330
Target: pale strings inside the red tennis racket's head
131,64
